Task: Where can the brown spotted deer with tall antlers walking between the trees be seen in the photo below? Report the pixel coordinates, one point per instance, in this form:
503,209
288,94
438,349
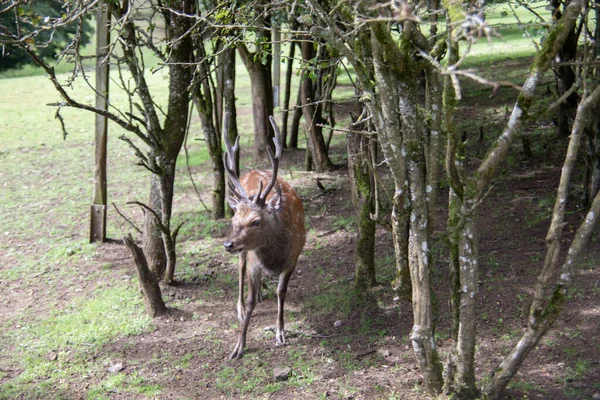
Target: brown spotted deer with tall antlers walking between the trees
268,233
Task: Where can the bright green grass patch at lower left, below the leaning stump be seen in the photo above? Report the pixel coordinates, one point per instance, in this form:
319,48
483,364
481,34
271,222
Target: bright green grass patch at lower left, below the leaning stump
62,347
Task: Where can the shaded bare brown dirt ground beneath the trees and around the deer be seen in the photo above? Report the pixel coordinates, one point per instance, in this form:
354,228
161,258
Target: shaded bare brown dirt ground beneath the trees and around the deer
340,344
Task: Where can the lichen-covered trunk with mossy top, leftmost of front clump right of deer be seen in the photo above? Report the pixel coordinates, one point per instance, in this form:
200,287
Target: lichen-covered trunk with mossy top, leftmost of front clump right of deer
398,76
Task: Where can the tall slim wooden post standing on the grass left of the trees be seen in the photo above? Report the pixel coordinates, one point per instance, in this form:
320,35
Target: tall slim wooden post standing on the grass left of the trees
98,208
